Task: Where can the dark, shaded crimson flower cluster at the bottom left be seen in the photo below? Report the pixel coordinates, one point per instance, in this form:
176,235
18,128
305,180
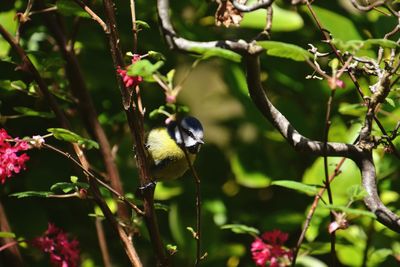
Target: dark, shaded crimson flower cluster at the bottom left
63,252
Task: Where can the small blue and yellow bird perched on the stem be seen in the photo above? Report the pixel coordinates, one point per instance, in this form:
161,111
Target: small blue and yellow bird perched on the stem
165,146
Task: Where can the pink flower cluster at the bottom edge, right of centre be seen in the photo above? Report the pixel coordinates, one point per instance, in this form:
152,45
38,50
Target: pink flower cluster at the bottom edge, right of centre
269,251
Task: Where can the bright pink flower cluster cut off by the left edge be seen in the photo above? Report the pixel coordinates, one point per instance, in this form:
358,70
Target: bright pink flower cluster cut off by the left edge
10,161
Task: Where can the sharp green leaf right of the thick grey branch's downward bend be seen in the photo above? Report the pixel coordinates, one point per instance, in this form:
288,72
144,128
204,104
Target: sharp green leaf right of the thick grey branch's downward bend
285,50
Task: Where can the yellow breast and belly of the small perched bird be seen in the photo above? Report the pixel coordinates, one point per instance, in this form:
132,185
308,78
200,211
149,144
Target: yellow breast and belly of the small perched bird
168,159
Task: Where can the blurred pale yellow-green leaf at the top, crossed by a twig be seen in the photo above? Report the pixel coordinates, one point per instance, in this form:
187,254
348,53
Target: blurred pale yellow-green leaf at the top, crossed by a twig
284,20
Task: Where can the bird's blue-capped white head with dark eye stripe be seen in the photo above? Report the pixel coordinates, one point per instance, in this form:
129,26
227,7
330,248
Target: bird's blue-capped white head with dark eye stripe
188,133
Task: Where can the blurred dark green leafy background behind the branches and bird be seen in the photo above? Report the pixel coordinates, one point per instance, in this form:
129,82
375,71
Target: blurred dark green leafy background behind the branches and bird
243,153
